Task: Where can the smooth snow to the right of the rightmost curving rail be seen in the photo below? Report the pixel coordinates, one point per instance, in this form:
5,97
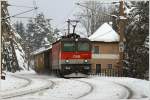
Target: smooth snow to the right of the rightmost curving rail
140,88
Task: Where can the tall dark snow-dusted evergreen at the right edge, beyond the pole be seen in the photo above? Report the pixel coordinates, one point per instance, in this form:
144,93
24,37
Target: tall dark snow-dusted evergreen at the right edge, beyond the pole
137,32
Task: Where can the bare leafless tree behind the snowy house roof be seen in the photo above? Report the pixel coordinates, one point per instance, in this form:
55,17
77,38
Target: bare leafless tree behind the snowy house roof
93,14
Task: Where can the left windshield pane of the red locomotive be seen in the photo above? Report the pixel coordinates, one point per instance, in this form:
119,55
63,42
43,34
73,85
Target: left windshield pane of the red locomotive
68,46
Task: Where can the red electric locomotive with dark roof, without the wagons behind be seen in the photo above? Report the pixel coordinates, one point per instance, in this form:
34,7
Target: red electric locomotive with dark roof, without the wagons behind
71,54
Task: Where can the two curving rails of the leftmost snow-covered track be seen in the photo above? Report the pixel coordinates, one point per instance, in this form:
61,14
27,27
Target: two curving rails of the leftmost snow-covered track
22,91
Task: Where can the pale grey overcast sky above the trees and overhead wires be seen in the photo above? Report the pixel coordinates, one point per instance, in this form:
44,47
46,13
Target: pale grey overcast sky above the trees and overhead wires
58,10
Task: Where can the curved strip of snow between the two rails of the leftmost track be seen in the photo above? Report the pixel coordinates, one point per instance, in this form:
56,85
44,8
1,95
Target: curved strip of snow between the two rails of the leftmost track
35,86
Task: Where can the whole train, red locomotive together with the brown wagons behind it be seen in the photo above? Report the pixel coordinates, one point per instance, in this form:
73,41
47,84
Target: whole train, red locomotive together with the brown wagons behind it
68,57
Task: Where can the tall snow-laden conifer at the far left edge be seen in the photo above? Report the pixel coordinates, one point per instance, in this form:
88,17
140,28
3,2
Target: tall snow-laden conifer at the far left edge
12,53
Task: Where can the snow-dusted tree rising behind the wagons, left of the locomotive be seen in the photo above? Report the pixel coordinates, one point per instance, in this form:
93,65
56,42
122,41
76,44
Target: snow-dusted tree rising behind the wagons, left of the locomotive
39,32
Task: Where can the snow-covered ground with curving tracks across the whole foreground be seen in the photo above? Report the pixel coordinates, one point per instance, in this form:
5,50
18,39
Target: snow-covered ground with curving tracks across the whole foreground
91,88
